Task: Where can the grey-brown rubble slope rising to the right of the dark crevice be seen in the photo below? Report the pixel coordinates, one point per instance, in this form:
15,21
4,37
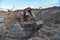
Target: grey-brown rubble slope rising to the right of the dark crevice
51,26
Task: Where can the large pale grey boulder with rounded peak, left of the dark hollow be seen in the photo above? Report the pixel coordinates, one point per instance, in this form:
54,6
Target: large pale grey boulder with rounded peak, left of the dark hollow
15,31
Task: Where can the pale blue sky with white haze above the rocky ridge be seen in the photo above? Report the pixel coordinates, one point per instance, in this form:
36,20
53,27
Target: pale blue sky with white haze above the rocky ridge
21,4
